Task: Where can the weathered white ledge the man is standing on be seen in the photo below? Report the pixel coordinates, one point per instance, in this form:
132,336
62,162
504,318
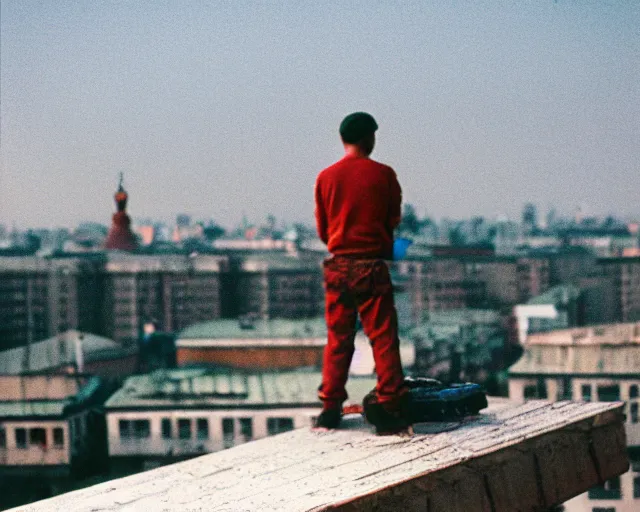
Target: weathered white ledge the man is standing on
524,457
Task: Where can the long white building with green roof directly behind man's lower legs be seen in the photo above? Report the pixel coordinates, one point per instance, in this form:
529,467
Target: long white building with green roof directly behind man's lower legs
173,414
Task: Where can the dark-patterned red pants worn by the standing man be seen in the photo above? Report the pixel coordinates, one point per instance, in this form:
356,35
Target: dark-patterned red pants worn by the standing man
364,287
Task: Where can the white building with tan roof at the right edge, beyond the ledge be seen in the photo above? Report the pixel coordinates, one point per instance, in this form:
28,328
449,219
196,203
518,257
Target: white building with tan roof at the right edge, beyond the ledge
599,363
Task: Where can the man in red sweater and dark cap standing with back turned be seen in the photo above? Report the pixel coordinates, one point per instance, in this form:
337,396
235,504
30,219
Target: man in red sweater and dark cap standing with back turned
357,207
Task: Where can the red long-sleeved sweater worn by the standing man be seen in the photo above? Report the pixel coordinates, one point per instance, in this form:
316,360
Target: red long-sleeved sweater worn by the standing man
357,208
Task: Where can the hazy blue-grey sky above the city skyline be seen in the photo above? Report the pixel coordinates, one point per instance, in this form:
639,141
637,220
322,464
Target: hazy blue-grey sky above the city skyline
219,108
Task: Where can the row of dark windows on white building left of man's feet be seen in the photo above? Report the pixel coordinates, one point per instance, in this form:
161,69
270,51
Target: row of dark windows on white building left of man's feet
187,427
